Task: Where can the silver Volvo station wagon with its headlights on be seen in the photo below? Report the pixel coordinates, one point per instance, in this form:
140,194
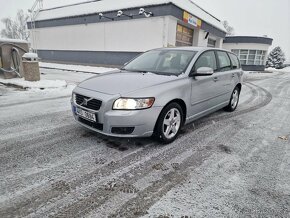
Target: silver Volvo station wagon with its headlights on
158,92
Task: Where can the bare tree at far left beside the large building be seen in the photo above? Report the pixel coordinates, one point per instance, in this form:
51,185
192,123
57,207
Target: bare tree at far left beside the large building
16,29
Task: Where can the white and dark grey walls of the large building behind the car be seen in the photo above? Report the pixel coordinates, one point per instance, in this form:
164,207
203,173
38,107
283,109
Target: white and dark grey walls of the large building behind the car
110,43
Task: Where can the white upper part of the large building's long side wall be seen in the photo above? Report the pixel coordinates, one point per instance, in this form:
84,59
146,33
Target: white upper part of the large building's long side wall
128,35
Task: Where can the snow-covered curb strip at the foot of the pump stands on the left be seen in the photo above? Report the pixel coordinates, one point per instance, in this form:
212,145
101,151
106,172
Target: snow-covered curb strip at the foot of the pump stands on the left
42,84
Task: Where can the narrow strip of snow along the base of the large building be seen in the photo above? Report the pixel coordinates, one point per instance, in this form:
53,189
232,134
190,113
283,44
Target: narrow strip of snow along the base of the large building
76,68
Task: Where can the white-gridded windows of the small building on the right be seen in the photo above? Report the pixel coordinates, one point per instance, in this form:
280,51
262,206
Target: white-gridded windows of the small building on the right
250,57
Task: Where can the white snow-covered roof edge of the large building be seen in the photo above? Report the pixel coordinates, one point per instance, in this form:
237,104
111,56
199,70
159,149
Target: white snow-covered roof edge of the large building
113,5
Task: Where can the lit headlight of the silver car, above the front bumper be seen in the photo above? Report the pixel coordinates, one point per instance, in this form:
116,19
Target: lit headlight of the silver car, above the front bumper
133,104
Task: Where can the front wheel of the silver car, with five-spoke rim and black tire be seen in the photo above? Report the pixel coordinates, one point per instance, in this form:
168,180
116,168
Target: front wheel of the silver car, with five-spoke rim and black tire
169,123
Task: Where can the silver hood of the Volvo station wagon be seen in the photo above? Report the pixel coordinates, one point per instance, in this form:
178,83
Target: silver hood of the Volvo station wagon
122,82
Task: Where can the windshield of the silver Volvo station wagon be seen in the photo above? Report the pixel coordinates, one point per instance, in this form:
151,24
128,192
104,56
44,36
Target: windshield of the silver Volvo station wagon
171,62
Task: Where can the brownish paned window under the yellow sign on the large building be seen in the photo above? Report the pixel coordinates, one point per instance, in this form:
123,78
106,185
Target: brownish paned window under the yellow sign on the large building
184,36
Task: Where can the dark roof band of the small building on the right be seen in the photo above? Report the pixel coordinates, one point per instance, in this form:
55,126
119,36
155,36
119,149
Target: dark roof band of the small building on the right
248,39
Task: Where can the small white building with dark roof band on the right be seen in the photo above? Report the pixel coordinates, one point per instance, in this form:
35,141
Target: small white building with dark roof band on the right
251,50
